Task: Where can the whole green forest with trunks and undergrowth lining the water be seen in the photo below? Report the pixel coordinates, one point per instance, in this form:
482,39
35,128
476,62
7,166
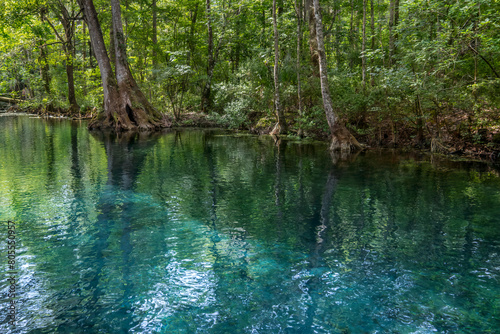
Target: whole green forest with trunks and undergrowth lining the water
397,73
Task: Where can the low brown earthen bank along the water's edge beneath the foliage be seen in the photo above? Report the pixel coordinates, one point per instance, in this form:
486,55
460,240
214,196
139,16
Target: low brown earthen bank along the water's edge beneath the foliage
451,138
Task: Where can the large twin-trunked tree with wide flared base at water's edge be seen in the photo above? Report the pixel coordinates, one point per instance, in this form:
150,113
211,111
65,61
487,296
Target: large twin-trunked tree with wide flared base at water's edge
125,106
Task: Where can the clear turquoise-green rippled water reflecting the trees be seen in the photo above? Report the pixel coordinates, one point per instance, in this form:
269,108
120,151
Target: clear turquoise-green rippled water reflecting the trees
209,232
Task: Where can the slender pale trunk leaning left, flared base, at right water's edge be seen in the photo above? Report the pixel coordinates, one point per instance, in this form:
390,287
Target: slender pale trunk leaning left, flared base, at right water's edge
341,137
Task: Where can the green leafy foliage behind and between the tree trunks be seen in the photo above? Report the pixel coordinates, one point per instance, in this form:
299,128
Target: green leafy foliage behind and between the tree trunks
426,61
